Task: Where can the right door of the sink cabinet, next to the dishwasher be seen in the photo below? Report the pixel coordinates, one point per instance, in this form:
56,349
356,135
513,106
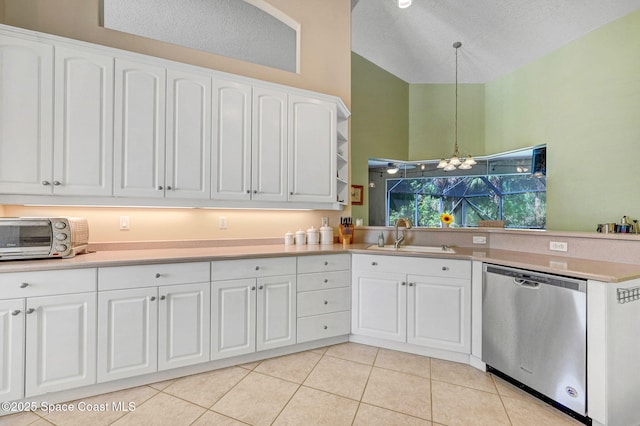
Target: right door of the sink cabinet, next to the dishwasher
439,313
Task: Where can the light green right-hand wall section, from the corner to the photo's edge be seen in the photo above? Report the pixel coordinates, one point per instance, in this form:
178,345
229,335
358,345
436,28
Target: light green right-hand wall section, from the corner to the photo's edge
583,101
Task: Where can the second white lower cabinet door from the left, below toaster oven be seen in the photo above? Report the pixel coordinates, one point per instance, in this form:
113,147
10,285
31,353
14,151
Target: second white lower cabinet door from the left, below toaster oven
60,342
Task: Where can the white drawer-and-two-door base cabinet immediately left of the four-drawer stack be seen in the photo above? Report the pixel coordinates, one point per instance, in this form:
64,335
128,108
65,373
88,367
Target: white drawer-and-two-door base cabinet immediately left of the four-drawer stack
253,306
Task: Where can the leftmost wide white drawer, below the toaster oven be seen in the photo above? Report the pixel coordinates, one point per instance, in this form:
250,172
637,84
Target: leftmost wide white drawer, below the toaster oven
46,283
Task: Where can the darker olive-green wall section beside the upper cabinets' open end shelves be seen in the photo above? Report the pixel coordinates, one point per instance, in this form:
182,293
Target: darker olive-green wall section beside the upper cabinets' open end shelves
379,121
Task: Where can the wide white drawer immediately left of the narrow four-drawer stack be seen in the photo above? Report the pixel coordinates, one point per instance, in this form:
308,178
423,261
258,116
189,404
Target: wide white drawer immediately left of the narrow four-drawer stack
252,268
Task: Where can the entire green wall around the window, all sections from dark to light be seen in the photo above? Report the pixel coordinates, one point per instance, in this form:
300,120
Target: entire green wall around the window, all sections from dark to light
582,100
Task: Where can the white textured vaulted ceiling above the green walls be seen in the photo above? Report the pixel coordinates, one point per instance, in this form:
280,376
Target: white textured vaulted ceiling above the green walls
498,36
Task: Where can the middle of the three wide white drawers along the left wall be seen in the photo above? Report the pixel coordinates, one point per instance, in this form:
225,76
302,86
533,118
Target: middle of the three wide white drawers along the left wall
121,277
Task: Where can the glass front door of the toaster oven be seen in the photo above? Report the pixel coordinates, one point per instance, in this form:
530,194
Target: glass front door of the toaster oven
25,237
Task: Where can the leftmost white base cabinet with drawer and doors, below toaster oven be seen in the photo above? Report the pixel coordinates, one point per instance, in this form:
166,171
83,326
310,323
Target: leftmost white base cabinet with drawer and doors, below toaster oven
47,332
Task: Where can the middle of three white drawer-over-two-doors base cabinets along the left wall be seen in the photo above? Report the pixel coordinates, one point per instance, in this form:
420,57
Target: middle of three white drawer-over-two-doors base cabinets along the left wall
155,323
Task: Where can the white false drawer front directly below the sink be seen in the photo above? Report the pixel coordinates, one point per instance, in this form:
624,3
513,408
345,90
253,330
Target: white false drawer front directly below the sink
435,267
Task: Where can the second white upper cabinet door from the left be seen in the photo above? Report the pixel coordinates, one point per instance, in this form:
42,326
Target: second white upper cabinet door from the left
83,140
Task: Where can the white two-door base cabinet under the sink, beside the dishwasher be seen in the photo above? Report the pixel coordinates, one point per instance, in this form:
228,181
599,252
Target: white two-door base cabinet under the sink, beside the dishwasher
432,308
